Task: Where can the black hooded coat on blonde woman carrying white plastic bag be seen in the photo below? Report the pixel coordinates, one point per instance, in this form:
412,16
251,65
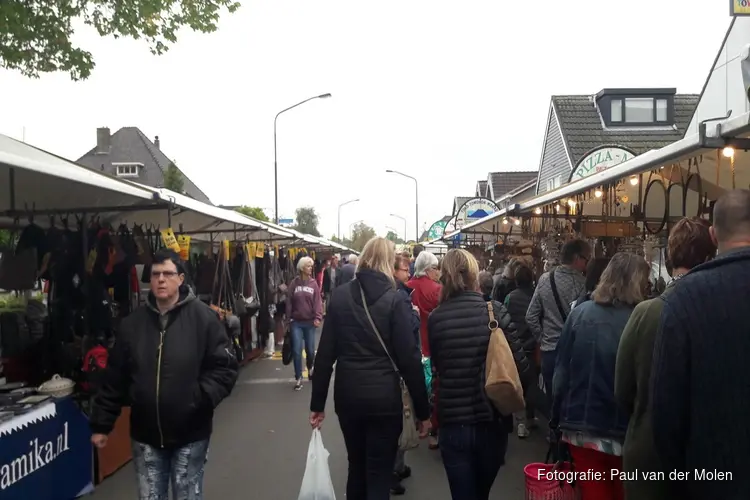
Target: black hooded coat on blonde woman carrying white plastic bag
366,383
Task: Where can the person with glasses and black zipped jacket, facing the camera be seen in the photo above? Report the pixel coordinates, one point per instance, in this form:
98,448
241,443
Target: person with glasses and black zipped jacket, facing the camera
173,364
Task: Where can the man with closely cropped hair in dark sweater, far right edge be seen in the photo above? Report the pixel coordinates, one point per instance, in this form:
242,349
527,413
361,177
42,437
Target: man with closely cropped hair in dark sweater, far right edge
700,380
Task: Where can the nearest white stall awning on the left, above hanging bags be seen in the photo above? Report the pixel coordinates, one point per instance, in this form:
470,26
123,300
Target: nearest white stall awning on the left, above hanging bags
33,180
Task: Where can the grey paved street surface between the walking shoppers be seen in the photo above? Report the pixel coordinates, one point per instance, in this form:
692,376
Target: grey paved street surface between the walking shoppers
260,440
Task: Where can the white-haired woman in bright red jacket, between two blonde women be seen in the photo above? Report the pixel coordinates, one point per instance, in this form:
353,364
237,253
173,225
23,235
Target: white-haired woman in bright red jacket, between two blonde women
425,296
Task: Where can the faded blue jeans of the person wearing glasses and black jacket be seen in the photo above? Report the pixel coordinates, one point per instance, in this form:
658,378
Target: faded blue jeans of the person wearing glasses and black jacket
181,467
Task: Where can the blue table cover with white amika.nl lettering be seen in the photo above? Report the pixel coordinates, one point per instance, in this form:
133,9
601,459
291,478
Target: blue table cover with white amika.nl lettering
46,454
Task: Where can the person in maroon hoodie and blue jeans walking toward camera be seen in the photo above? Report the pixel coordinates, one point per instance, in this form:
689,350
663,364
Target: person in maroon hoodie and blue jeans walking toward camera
304,309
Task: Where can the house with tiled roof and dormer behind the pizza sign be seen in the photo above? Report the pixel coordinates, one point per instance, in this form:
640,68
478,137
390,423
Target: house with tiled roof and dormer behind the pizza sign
590,133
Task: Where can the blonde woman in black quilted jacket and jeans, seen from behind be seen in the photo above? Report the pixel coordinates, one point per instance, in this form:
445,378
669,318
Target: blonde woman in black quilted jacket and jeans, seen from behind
474,436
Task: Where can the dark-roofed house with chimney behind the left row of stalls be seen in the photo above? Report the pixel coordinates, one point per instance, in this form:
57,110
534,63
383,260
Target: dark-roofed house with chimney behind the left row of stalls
129,154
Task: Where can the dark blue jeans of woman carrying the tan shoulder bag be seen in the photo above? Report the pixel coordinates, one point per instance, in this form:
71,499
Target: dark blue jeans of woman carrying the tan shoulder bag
472,456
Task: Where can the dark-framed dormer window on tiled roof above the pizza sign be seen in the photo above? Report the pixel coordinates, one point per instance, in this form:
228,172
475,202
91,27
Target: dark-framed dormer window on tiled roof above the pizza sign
636,107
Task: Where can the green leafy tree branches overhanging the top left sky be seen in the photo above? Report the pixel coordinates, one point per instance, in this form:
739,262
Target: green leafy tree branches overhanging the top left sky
36,35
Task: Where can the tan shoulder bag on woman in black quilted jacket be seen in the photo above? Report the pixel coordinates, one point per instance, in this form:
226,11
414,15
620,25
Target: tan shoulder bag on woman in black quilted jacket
502,383
